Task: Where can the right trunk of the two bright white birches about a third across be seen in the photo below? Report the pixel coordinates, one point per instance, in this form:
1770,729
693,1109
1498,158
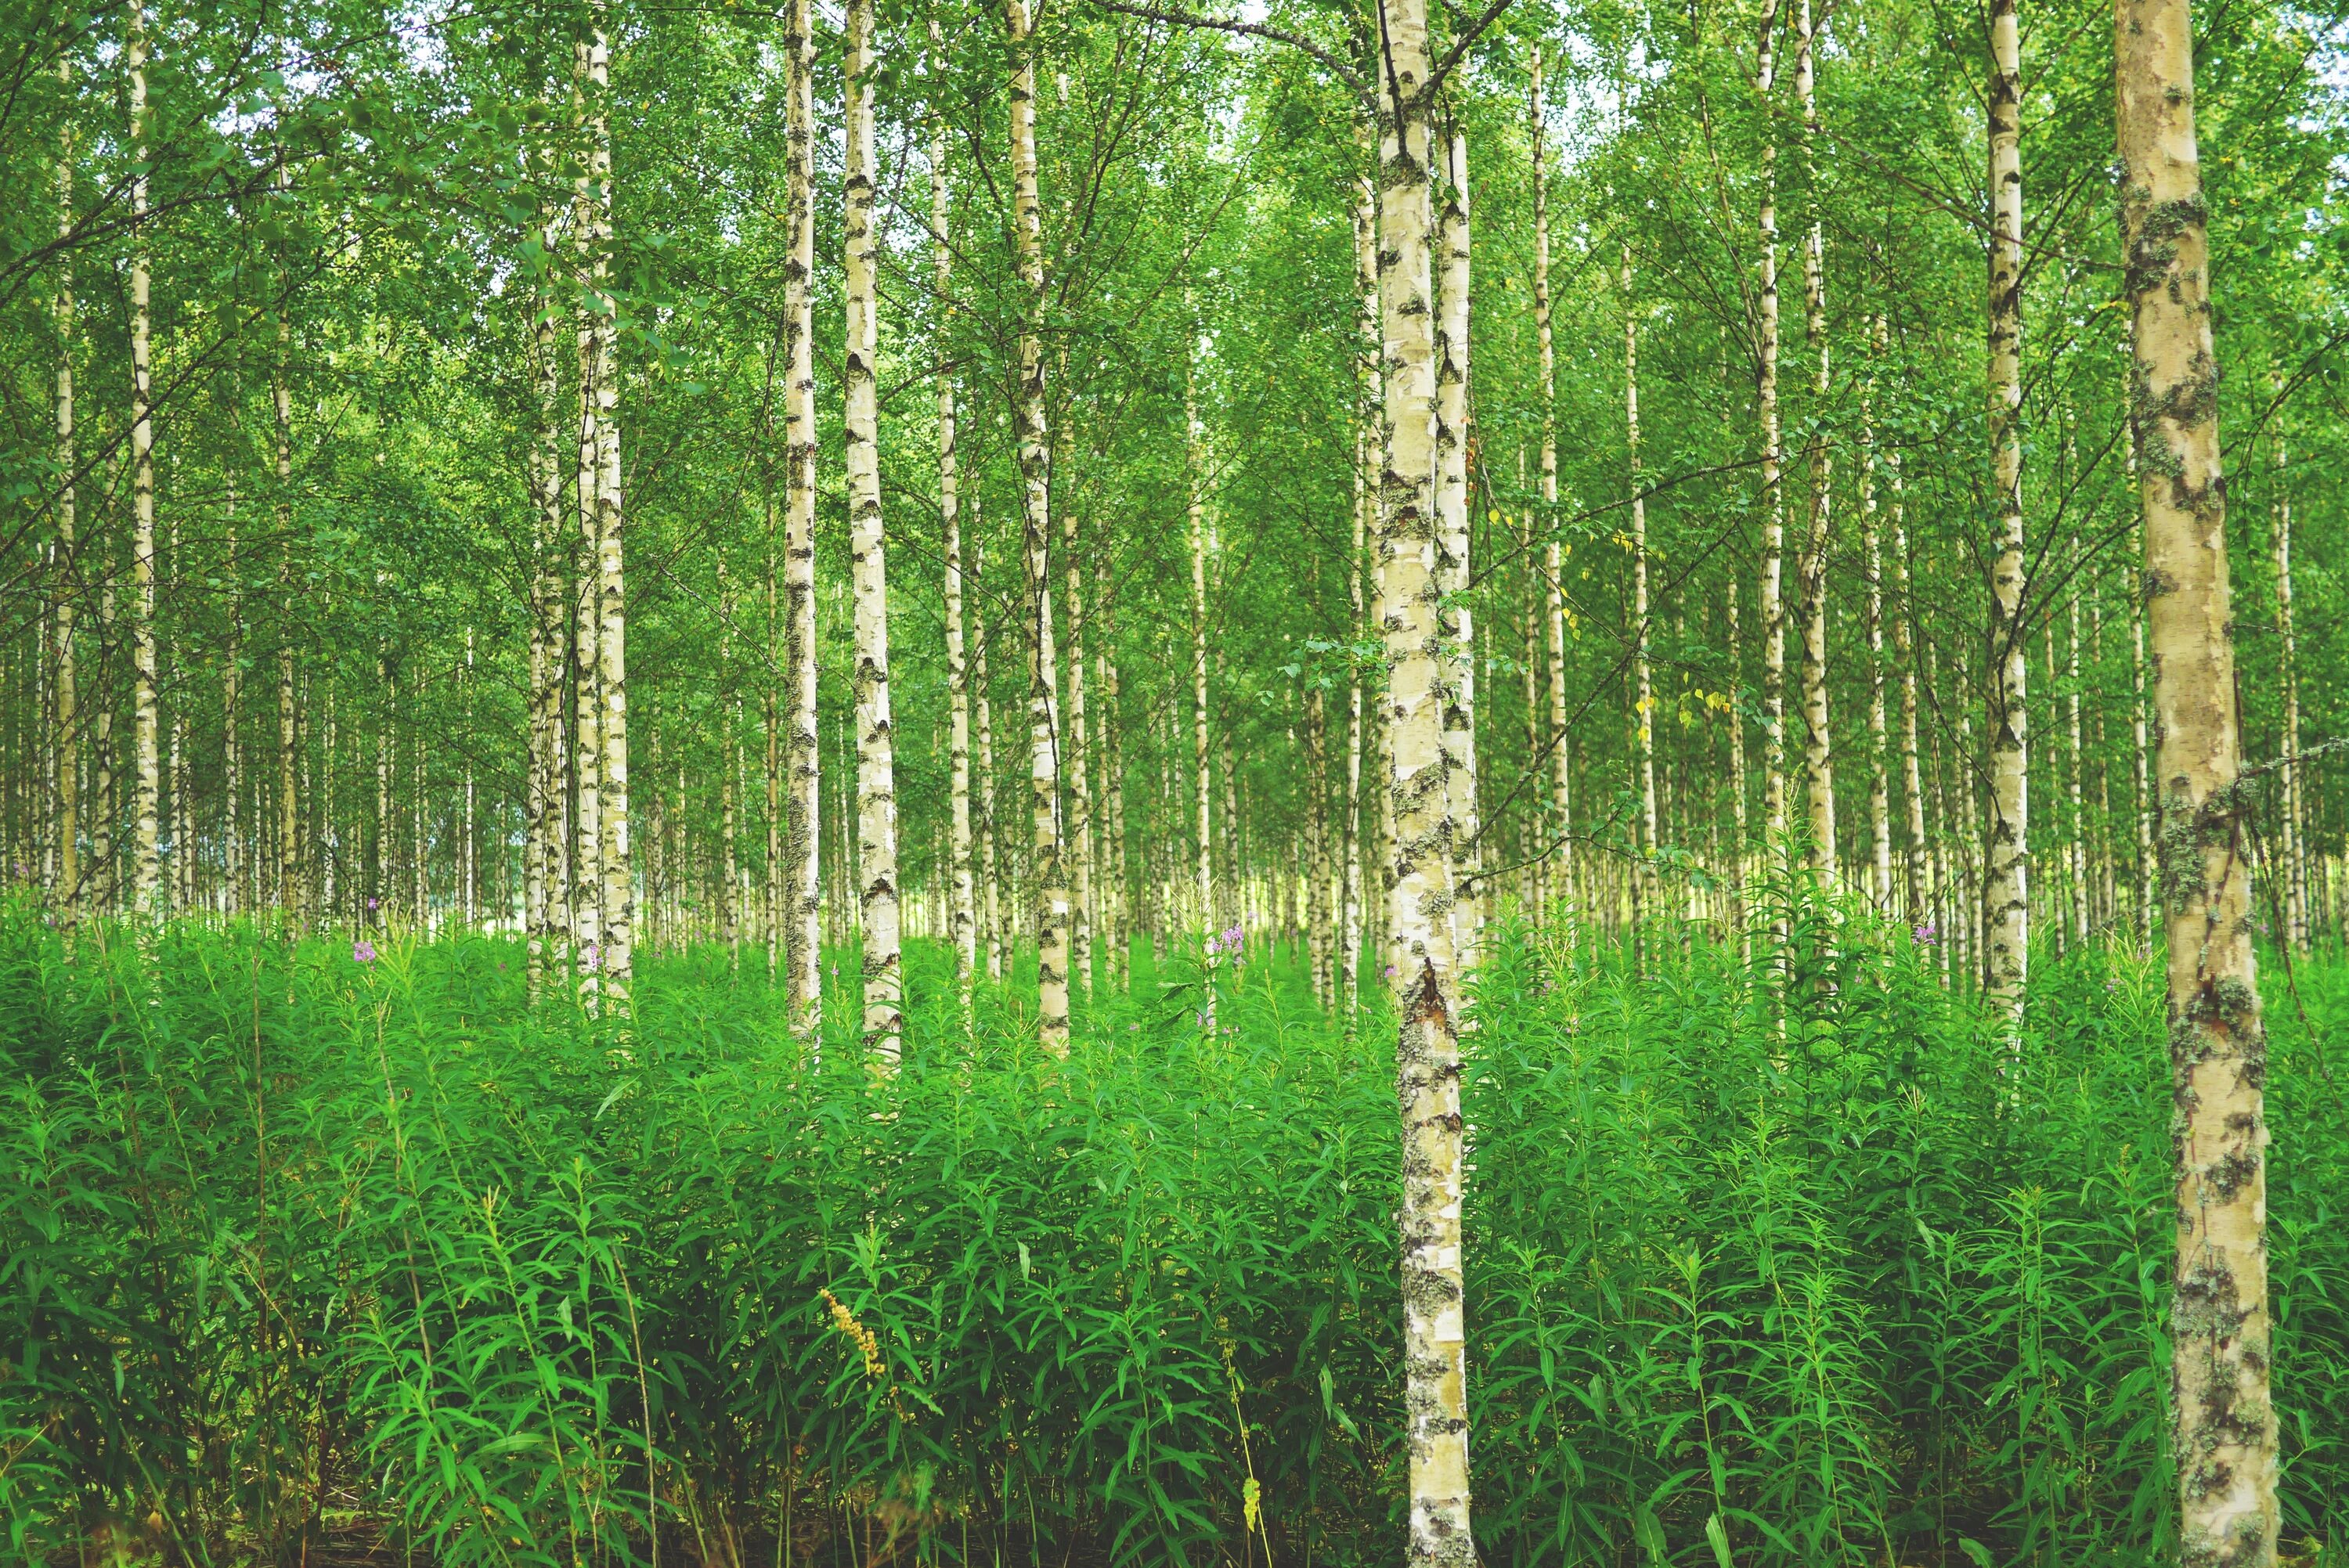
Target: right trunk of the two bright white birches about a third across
877,764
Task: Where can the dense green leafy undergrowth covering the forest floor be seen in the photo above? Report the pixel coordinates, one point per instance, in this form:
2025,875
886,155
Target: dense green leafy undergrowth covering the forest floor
309,1257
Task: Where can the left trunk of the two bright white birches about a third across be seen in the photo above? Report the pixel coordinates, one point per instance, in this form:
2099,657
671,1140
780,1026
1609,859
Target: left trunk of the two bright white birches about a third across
802,849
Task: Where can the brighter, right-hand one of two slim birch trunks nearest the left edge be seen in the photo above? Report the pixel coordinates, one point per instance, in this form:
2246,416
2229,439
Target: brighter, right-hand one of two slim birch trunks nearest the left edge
147,759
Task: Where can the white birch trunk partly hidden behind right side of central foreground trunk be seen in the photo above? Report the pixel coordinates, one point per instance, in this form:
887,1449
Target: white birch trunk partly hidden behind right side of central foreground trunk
1453,539
